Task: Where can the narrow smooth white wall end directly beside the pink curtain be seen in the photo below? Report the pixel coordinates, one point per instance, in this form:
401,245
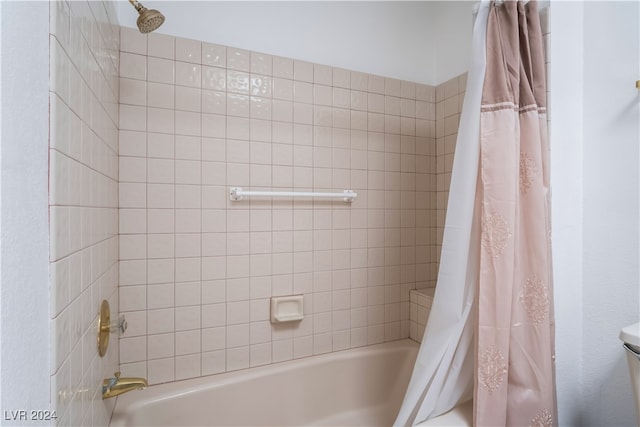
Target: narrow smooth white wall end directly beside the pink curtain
566,85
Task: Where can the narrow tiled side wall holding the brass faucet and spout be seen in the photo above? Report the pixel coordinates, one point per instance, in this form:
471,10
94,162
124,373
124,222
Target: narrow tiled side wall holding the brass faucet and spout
83,204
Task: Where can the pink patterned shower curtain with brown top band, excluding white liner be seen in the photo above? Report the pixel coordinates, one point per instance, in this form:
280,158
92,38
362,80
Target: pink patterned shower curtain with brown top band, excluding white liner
515,379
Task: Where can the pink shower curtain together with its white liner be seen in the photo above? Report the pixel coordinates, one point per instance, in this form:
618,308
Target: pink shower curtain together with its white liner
491,327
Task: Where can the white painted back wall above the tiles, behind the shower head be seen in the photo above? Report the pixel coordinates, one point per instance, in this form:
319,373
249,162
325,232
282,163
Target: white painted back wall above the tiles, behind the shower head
392,39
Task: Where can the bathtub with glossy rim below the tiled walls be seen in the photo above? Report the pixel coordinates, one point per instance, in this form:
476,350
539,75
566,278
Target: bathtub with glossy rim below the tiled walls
357,387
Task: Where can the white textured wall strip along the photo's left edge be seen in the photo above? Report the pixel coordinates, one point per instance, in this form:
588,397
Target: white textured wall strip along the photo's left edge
24,214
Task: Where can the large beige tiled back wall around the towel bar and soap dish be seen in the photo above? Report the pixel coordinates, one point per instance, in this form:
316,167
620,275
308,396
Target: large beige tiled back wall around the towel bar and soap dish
197,270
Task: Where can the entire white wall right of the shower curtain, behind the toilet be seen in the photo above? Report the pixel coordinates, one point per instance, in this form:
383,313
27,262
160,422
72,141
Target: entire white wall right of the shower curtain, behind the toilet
595,136
